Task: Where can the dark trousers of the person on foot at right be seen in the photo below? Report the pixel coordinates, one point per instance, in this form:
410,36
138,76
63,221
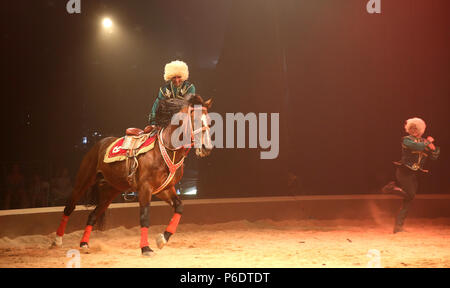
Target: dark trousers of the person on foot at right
407,180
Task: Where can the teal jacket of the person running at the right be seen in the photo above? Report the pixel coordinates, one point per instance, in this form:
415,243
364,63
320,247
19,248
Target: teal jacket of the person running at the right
415,151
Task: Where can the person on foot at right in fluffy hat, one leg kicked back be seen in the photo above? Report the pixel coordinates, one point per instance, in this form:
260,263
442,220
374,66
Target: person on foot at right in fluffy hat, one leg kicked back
415,150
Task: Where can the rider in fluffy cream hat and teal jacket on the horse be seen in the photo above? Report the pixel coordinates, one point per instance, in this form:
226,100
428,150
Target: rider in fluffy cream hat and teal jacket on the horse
176,74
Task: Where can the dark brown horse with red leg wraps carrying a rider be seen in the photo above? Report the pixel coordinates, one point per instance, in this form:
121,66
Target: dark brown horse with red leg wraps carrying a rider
158,171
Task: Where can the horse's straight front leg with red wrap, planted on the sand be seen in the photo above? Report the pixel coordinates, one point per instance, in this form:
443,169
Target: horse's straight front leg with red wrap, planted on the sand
144,218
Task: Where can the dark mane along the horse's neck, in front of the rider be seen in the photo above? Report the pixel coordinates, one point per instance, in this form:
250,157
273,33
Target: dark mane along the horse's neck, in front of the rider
170,106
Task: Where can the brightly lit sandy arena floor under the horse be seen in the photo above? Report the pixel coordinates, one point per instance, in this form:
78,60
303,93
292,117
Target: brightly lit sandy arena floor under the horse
265,243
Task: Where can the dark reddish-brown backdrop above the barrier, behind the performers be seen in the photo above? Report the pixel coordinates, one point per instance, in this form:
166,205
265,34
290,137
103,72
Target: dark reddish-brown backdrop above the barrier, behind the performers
344,81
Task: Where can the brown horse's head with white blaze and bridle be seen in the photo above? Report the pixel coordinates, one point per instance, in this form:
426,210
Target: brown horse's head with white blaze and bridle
197,110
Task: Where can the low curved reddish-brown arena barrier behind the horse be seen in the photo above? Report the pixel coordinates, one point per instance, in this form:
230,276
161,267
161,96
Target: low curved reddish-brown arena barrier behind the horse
43,221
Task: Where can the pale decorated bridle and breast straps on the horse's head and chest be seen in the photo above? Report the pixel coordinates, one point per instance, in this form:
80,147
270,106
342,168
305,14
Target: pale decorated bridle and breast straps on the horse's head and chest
173,167
